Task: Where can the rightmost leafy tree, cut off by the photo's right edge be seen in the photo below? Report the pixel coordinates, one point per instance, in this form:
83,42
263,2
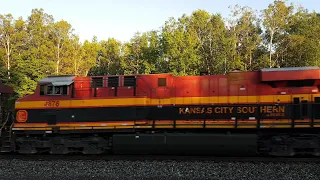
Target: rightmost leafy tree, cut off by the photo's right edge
301,44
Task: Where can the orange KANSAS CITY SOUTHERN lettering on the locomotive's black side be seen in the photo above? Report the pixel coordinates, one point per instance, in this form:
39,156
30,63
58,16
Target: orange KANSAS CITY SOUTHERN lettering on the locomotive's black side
274,110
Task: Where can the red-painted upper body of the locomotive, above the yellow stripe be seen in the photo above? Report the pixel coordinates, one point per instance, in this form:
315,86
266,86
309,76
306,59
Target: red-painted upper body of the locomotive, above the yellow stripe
233,84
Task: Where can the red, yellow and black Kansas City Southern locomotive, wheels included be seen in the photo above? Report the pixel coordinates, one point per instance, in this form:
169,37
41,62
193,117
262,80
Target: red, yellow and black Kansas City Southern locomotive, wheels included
272,111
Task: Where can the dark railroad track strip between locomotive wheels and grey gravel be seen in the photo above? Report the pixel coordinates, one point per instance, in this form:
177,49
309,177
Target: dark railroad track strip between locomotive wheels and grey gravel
157,158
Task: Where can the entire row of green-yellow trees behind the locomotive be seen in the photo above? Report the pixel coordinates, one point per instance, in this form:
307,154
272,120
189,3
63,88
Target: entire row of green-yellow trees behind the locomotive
281,35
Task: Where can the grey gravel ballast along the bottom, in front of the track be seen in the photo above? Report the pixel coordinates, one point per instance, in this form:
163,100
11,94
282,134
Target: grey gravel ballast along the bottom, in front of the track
98,169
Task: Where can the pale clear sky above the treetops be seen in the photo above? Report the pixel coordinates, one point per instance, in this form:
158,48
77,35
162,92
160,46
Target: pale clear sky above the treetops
122,18
